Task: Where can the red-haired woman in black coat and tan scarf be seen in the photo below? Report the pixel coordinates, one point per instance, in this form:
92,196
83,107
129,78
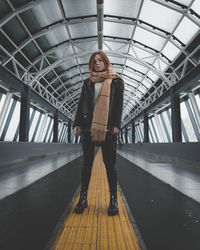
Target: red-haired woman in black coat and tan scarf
98,120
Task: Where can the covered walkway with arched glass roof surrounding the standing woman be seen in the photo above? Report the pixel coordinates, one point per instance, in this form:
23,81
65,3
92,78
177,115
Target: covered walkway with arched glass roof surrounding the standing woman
45,46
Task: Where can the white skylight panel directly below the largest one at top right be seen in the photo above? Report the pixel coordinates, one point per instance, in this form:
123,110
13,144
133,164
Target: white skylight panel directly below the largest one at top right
150,39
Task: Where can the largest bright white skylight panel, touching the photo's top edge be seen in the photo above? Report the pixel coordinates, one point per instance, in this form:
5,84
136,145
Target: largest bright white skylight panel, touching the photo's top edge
160,16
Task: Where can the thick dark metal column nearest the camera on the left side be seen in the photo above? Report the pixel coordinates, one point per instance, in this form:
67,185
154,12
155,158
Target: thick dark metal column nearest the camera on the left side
24,114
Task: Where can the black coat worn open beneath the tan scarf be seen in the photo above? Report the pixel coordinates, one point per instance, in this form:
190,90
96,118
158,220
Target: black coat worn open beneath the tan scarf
84,113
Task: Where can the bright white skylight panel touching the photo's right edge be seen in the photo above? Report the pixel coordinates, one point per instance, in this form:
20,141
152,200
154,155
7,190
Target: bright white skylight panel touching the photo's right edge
186,30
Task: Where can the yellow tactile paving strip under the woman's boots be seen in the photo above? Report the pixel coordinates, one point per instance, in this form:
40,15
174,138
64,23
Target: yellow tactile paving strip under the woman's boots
94,229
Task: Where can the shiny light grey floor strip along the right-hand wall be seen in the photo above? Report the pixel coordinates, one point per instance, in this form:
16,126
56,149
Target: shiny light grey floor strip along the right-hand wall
183,180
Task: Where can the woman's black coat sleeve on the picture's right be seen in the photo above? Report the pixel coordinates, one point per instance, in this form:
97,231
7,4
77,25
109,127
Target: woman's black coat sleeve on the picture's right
119,94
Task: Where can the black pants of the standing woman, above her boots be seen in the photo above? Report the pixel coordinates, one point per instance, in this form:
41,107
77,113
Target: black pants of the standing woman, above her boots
109,158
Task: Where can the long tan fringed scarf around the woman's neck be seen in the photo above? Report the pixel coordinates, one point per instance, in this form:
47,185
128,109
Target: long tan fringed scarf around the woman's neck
100,115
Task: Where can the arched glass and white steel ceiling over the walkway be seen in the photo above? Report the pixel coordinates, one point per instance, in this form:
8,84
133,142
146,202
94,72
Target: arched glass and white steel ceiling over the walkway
152,44
